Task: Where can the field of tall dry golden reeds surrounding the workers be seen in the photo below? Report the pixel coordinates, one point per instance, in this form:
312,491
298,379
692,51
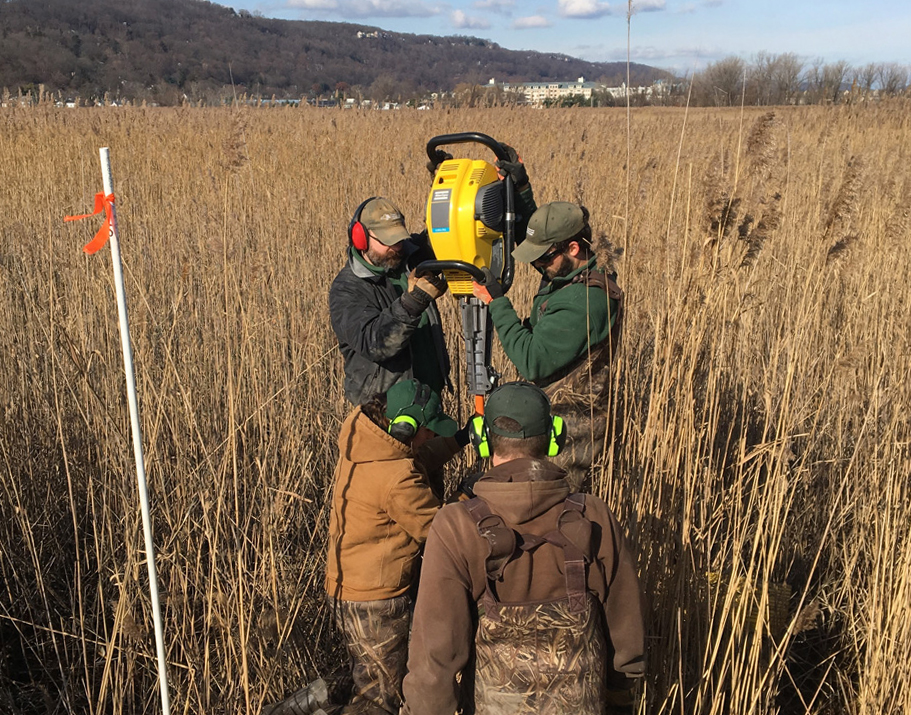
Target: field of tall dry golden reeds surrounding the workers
762,446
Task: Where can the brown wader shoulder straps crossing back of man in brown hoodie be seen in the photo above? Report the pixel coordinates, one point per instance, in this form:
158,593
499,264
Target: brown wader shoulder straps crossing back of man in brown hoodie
572,529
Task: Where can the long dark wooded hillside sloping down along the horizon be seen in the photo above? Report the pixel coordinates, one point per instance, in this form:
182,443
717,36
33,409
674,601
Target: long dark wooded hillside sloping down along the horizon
164,49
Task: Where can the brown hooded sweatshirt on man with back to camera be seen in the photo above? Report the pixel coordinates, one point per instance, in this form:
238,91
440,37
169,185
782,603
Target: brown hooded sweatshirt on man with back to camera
529,495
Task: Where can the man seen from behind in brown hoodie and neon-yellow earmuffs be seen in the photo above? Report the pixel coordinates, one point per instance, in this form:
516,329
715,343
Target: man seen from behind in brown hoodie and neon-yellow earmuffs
533,579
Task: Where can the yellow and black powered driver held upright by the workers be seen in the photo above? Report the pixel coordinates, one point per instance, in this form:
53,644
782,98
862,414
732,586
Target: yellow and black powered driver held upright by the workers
471,225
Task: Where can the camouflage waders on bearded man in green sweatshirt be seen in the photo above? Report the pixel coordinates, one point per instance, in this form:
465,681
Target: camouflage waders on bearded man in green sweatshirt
581,393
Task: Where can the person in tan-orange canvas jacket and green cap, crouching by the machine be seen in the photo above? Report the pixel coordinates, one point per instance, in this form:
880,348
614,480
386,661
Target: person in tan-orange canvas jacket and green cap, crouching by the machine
382,506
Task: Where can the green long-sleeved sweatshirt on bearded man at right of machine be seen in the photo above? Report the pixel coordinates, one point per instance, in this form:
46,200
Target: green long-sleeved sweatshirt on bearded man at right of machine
568,317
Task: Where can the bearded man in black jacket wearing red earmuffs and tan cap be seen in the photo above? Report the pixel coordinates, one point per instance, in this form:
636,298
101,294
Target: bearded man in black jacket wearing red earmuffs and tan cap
386,321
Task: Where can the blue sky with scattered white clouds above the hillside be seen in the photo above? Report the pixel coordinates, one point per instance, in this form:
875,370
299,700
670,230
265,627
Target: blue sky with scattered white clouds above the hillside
678,35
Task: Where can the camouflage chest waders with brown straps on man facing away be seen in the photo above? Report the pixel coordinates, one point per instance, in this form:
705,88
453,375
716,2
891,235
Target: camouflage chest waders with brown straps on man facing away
542,658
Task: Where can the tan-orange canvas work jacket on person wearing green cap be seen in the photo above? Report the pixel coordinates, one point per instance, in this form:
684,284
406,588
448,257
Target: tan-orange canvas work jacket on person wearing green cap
382,506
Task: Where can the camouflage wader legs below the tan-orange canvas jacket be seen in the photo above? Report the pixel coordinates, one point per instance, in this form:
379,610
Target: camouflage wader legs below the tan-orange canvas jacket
376,637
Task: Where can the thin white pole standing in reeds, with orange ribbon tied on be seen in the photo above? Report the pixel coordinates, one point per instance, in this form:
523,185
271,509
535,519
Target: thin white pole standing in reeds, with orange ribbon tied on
137,432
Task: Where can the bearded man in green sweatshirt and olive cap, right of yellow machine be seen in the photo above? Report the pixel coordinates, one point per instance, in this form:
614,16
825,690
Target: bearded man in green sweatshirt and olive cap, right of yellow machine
567,343
